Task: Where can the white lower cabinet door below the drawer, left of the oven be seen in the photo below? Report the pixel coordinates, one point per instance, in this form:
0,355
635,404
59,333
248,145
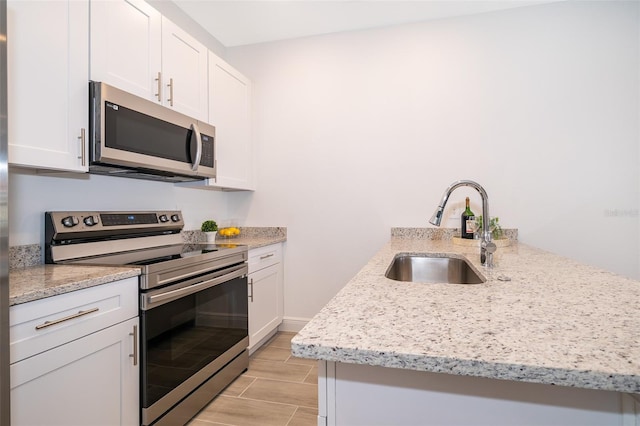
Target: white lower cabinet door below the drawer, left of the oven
89,381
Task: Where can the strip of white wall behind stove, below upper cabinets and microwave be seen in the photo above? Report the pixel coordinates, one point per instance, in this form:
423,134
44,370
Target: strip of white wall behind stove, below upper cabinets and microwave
32,195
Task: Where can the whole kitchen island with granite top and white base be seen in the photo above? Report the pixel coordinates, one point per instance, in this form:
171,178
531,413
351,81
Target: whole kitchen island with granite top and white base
545,340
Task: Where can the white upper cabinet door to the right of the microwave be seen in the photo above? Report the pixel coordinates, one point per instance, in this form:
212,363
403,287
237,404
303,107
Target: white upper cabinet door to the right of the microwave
229,112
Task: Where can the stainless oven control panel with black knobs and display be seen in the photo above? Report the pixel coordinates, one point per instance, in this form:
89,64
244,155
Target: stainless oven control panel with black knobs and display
67,224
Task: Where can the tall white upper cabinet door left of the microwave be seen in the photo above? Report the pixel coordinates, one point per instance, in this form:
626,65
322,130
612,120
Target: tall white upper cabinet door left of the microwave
48,58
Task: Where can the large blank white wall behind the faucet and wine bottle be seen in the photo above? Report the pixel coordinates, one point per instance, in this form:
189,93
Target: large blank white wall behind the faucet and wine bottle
358,132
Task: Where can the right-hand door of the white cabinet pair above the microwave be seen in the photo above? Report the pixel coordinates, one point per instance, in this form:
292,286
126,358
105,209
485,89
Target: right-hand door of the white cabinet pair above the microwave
184,72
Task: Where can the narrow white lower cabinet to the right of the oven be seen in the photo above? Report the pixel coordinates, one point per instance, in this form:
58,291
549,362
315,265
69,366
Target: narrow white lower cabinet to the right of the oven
265,293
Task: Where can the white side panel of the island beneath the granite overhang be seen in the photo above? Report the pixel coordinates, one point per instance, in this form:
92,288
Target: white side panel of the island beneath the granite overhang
370,395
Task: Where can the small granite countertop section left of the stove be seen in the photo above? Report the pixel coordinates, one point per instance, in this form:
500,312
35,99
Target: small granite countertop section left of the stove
38,282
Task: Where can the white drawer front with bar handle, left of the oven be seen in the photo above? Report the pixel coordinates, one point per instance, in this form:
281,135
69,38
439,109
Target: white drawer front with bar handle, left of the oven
44,324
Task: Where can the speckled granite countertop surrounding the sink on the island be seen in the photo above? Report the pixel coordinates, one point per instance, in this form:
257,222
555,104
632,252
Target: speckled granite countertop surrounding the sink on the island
556,321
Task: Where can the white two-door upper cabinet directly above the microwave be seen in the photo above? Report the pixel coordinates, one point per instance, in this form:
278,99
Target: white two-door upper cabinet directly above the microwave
134,48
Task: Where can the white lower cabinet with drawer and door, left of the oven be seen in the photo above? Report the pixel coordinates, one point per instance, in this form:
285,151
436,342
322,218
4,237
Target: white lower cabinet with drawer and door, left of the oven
67,367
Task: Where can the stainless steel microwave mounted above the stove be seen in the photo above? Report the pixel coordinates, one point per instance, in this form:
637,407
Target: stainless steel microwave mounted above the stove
133,137
